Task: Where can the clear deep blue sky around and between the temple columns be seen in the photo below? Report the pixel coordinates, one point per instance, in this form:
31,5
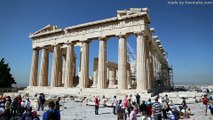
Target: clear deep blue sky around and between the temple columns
186,32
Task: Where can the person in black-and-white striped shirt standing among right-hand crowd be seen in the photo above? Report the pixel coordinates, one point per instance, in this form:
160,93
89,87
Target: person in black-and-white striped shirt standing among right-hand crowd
157,109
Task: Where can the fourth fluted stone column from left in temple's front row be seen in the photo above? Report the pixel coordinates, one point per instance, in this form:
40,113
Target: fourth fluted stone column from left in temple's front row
68,72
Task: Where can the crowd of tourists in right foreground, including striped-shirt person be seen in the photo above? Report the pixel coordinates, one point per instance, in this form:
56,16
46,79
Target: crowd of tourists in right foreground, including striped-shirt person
132,106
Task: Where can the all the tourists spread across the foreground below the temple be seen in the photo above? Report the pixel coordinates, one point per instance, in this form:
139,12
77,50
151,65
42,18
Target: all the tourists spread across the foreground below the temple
131,107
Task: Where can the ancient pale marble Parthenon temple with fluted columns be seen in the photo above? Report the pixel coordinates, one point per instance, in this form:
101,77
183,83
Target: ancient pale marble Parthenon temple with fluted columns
151,64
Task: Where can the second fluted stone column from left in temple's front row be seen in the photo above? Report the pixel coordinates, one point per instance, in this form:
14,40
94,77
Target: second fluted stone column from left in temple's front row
43,79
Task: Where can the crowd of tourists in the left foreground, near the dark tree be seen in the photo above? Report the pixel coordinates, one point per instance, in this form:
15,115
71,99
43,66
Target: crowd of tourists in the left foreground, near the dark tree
19,109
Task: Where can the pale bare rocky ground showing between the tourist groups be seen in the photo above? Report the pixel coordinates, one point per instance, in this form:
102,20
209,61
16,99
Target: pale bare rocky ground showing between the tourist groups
79,111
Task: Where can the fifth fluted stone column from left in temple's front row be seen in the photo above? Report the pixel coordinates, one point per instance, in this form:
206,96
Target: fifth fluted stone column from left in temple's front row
84,77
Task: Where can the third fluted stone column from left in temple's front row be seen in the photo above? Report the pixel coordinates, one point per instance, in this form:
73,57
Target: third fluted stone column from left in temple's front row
55,66
